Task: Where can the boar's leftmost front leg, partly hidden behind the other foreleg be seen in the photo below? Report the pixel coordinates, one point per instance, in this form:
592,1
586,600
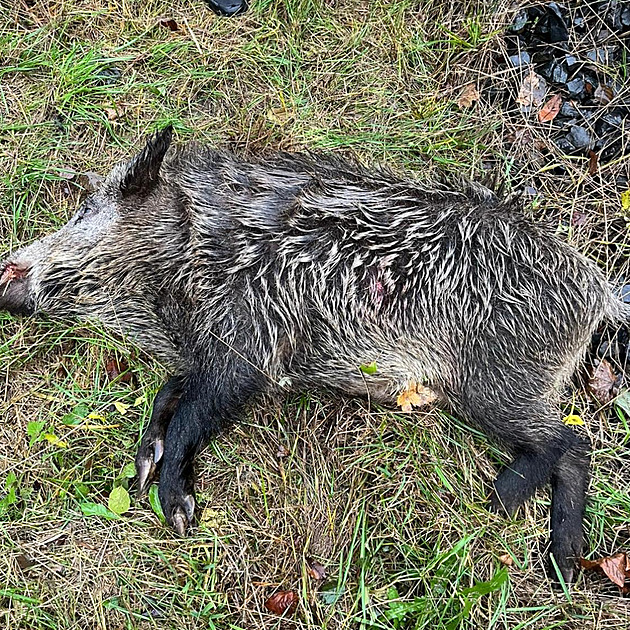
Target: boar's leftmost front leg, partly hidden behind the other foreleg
151,446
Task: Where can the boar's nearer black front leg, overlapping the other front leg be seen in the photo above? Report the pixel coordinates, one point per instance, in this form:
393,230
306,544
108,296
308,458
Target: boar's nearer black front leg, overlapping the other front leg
211,400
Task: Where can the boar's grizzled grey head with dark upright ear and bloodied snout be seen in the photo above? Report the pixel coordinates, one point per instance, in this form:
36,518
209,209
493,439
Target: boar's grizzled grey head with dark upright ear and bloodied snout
101,265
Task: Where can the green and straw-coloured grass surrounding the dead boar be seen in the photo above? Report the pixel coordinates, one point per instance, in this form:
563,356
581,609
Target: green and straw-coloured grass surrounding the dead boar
393,505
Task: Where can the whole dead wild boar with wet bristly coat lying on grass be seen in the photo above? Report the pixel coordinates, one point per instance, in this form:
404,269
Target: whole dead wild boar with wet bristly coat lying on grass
293,271
